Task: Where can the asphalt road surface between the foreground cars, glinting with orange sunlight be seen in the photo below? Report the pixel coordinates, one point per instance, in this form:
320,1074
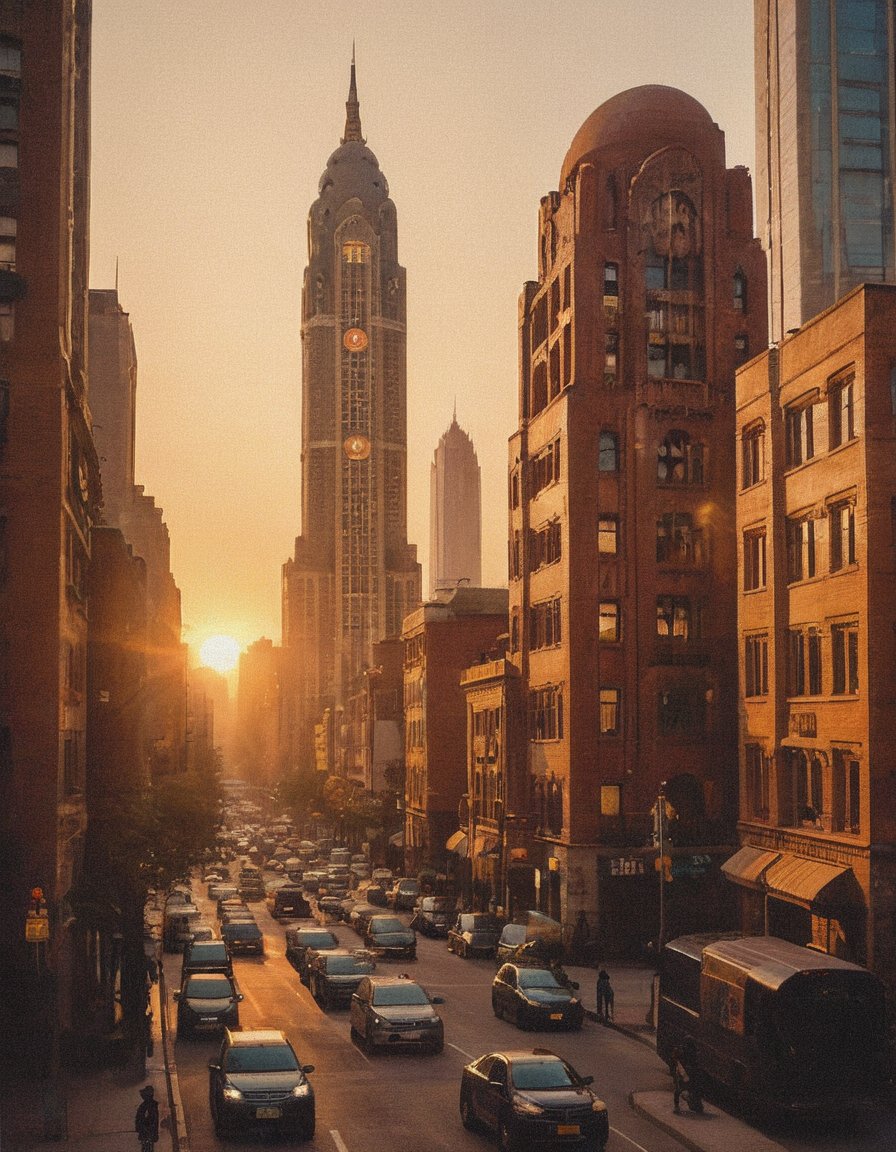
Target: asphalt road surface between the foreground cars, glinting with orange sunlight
397,1102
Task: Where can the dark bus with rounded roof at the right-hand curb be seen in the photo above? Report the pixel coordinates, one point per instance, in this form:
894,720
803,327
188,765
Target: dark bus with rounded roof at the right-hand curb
783,1027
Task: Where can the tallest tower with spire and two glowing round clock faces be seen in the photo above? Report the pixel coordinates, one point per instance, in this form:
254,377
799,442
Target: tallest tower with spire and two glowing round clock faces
354,577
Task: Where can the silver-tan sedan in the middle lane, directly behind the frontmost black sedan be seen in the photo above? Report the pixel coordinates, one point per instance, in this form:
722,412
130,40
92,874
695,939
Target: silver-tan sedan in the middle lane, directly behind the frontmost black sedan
394,1012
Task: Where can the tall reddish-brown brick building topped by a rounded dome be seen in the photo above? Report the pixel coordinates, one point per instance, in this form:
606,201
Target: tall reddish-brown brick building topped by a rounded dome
651,292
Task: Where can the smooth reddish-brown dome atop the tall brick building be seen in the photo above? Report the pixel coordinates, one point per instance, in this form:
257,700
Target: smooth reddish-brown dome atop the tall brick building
652,108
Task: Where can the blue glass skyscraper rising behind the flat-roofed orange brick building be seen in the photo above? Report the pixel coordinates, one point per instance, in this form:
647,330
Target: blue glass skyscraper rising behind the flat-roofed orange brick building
825,161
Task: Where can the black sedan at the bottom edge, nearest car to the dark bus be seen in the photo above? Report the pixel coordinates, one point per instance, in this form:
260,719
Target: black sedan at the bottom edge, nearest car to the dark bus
531,1101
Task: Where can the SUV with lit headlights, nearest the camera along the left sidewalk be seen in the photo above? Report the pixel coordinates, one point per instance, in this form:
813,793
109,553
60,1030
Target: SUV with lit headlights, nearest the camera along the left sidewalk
259,1082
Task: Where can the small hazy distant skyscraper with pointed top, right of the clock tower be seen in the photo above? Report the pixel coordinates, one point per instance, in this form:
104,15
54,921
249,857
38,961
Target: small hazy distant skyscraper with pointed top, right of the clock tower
455,513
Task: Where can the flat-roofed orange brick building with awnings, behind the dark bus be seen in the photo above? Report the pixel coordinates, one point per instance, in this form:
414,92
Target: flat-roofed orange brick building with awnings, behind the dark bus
817,524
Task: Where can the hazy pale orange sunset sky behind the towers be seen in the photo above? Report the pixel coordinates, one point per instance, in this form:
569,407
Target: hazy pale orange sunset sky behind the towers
214,122
